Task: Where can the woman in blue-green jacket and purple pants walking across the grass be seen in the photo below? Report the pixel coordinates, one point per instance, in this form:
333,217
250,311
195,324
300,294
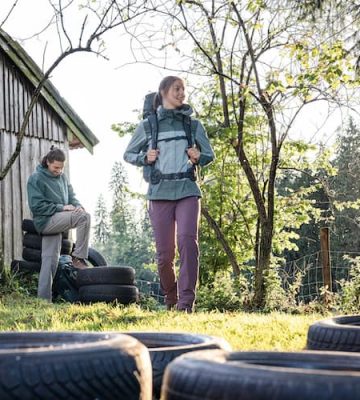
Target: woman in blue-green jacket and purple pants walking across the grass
174,195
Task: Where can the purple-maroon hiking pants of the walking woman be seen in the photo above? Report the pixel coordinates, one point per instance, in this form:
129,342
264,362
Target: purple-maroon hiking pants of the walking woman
171,220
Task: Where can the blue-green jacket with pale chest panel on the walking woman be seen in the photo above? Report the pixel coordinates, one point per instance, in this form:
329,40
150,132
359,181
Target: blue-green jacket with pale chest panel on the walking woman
172,158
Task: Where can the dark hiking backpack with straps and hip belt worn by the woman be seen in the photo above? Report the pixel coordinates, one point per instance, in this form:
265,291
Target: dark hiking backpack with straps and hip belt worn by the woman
151,126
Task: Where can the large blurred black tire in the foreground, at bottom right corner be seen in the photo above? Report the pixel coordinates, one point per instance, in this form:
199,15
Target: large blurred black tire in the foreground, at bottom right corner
219,375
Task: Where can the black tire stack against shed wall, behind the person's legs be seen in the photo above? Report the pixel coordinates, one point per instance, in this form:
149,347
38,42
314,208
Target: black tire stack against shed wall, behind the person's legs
32,242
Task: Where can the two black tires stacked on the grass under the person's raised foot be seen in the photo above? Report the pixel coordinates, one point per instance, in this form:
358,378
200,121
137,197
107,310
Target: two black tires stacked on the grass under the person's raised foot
107,284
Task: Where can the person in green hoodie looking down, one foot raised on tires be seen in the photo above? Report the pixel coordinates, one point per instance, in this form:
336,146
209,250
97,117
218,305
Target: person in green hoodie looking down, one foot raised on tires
55,209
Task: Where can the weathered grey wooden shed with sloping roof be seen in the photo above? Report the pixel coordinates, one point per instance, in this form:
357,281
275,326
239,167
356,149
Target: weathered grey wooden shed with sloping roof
53,121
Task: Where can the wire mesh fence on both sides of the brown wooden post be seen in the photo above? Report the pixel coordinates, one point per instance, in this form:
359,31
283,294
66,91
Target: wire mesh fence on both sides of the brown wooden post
307,272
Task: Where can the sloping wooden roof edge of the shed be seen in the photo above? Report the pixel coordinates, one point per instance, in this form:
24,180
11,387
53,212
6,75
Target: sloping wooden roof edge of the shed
83,135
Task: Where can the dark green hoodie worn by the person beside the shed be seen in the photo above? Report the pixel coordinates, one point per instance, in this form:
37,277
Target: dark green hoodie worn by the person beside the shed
48,194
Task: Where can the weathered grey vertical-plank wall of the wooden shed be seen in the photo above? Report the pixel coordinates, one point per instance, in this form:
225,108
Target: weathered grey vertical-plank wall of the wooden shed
44,129
